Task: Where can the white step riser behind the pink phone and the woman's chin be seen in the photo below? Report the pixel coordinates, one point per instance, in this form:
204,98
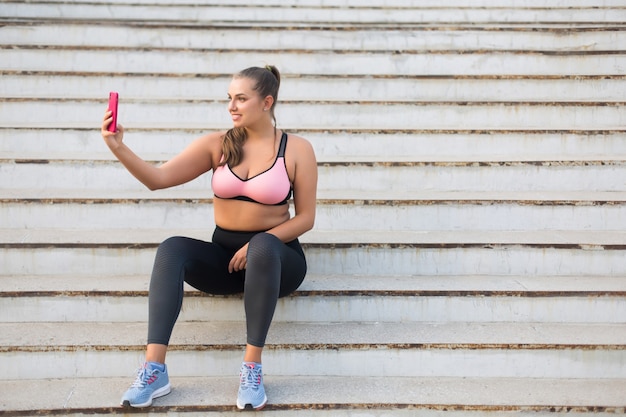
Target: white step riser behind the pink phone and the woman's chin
16,113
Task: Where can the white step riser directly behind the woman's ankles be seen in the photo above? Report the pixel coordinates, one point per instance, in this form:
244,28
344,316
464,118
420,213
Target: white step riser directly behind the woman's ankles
568,363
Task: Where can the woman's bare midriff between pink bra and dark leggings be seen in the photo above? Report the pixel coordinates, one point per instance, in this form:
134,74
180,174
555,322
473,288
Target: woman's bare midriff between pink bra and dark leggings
247,216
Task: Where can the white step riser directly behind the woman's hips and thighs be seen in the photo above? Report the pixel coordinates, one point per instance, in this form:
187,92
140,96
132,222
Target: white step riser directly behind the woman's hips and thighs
442,257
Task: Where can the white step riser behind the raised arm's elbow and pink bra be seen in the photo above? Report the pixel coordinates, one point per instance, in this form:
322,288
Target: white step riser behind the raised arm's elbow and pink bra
406,179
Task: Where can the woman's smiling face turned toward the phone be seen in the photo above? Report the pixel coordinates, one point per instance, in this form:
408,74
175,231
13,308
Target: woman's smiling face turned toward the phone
245,106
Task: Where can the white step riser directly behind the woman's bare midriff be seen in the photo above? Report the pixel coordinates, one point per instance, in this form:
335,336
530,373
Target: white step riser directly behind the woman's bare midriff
448,216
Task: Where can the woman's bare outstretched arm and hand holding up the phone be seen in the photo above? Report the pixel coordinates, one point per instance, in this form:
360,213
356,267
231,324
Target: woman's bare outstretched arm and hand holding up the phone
196,159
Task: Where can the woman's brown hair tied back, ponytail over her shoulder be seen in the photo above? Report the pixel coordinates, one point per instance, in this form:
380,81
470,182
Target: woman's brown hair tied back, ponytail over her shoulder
267,82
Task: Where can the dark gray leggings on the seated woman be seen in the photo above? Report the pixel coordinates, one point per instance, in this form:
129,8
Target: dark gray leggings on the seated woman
274,269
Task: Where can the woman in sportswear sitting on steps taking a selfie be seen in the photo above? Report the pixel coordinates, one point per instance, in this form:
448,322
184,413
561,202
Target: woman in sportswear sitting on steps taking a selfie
255,248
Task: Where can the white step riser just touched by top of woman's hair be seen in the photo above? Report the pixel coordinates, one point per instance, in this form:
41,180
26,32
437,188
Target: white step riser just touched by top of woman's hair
359,63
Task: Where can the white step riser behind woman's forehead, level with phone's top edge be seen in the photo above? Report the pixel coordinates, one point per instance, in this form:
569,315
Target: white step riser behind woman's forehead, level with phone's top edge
550,89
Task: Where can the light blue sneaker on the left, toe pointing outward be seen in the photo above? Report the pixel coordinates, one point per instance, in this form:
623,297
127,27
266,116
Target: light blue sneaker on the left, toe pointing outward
149,384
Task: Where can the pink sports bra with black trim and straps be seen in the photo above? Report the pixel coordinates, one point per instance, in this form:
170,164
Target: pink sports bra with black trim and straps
271,187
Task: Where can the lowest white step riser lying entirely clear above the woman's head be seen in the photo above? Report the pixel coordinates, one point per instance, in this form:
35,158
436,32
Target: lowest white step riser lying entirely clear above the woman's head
401,39
